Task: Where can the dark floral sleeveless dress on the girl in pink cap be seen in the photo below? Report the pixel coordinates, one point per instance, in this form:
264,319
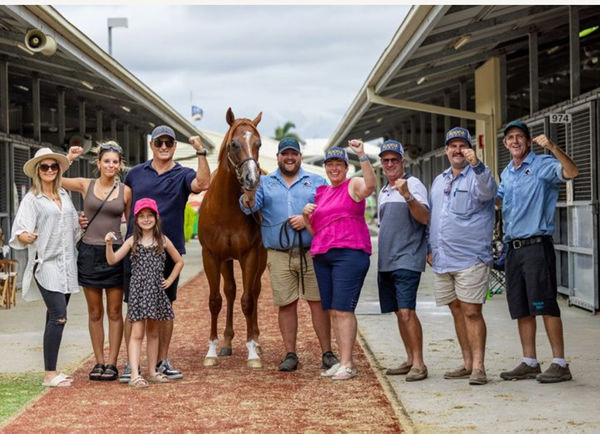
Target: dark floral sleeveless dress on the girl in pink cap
147,300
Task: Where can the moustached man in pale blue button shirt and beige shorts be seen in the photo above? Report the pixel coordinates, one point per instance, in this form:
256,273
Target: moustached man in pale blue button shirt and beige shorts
460,237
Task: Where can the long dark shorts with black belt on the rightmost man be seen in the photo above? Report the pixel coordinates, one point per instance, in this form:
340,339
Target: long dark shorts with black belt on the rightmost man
531,287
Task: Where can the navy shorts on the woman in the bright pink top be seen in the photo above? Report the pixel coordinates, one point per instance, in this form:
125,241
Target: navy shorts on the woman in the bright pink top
340,274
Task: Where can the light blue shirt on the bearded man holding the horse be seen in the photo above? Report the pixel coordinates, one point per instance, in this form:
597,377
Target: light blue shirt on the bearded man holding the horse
277,202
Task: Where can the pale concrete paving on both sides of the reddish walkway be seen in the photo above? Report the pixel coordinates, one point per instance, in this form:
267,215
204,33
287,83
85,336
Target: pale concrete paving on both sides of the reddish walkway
431,406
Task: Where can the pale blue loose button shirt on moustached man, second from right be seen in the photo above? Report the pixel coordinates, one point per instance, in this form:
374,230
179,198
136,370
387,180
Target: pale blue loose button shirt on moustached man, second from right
462,218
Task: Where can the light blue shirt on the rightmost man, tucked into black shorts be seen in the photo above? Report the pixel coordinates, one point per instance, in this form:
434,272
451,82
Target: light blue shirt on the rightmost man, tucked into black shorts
529,196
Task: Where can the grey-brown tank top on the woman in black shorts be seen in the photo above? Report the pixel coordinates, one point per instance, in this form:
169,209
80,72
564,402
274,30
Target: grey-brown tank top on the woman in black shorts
107,220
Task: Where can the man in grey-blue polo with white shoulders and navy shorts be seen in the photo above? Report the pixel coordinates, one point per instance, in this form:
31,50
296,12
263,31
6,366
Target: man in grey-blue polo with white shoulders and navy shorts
403,216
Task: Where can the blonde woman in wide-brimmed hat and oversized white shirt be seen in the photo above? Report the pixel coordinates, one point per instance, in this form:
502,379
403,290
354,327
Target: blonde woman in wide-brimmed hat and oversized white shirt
46,224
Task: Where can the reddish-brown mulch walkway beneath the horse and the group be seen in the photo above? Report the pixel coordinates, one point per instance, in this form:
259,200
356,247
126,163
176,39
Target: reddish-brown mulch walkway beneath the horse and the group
226,398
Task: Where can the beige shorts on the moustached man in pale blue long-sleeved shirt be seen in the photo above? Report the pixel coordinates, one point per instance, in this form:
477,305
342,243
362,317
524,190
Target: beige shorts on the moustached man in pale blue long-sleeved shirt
469,285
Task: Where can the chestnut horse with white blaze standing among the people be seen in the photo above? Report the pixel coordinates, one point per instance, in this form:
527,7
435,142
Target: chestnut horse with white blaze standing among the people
227,234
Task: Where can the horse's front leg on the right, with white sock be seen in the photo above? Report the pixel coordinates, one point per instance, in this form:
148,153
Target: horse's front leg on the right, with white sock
249,301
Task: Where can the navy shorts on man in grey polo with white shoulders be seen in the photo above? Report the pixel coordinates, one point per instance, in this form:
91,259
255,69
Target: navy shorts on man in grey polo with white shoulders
398,289
